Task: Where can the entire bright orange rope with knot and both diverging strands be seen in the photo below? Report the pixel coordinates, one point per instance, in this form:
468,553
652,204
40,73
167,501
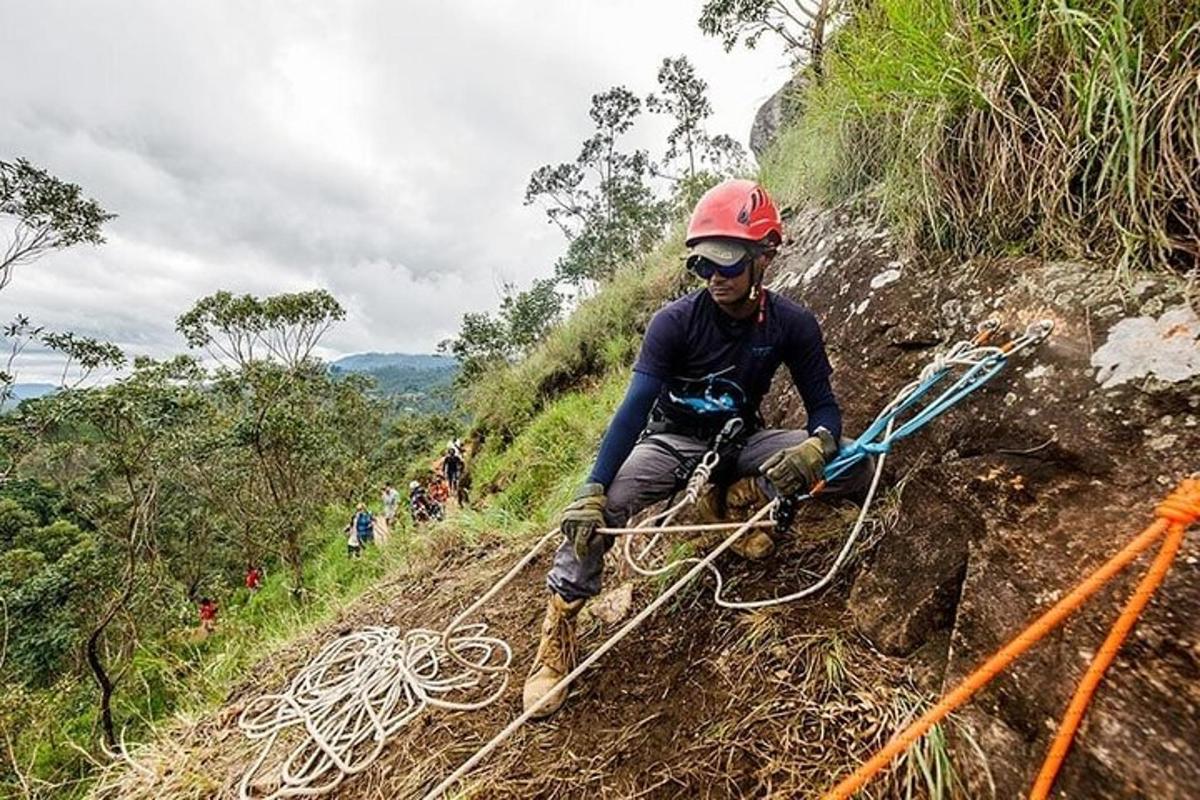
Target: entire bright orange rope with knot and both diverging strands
1180,510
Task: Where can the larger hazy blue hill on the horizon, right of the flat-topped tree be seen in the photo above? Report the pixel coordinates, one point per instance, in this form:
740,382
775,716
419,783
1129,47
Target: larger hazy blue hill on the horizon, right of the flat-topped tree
418,382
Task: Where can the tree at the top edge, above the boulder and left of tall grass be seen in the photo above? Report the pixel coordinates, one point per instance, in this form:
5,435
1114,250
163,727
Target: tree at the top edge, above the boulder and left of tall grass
802,25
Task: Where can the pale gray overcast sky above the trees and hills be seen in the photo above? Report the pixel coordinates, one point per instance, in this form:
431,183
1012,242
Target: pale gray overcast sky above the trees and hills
375,149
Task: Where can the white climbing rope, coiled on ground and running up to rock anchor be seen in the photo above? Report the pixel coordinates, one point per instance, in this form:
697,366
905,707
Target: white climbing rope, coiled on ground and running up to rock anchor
363,688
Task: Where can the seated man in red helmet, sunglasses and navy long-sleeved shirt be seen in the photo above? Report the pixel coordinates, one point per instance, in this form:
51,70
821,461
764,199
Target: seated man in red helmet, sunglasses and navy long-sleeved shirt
707,359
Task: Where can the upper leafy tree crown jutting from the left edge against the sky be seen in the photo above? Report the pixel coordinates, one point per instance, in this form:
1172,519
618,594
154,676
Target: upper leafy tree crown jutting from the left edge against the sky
50,214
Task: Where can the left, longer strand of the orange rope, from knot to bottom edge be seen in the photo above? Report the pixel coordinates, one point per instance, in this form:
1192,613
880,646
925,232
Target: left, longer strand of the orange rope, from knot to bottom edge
1181,509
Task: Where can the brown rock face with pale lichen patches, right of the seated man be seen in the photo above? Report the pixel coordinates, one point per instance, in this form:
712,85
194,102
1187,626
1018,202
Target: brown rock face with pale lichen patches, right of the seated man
1012,498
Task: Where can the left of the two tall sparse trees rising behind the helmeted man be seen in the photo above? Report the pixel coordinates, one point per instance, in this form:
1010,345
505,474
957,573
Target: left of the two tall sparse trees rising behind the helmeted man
602,203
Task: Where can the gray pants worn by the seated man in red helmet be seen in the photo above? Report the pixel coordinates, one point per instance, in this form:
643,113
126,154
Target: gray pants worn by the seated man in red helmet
649,477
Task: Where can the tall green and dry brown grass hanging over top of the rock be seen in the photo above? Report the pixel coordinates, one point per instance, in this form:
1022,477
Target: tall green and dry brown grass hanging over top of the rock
1053,127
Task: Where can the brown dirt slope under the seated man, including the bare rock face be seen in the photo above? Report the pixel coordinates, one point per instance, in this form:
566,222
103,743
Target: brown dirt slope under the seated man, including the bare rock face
1005,503
